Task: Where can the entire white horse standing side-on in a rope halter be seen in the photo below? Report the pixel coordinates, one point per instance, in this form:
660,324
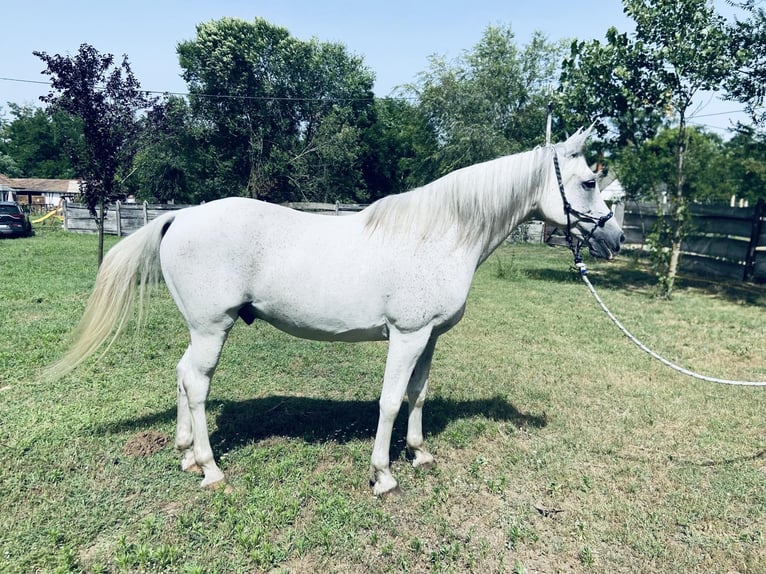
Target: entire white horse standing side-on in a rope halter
399,270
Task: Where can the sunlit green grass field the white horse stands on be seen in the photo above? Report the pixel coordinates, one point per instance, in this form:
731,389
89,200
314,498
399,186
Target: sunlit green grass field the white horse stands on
560,446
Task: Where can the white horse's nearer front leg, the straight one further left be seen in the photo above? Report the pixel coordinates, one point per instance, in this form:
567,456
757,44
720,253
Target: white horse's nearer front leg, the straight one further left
404,350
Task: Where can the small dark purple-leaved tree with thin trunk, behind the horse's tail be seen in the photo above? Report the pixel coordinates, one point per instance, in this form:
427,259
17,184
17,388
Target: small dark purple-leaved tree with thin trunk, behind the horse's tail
106,99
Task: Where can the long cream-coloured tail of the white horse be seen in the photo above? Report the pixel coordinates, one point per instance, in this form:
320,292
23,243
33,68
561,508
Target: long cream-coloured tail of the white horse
125,278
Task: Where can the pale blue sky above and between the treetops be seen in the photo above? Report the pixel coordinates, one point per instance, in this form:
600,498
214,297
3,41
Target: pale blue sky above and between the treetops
395,38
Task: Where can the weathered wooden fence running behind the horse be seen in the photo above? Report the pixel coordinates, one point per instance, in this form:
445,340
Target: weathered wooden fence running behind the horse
727,242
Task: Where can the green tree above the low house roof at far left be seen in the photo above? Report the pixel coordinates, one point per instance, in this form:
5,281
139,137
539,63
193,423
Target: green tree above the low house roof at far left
38,142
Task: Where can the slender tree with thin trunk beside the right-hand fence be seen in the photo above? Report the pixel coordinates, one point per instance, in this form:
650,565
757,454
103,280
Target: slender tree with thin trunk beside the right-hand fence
679,48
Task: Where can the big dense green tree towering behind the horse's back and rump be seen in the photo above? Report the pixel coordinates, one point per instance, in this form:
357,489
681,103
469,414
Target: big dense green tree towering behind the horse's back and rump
282,115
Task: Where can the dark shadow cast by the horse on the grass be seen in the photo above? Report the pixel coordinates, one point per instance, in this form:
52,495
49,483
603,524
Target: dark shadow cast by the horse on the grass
321,420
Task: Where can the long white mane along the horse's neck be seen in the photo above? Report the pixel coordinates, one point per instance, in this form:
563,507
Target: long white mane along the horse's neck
474,202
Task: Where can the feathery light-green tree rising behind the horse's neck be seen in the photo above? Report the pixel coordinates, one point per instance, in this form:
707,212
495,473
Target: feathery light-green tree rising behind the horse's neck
490,102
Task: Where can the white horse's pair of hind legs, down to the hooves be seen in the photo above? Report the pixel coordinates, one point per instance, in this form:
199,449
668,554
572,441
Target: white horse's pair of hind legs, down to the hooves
195,369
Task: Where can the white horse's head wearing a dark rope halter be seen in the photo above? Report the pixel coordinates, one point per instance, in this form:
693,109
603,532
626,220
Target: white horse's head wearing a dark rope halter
572,200
